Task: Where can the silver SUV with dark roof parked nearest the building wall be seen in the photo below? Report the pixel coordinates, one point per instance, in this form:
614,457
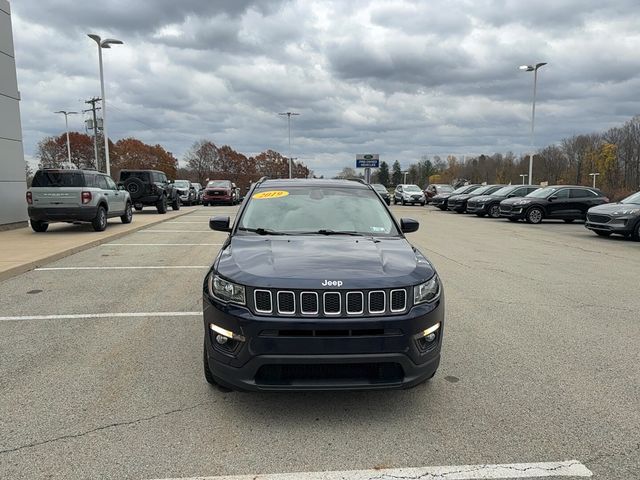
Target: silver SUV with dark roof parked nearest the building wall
74,196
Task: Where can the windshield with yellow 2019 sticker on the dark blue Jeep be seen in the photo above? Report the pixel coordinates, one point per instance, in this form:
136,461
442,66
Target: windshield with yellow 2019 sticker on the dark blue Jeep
314,208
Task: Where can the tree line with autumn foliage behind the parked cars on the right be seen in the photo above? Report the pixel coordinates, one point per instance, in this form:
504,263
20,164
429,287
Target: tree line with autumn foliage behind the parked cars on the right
614,154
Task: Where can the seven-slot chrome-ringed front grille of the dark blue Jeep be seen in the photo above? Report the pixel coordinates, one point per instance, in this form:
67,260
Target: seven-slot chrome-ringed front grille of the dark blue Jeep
330,303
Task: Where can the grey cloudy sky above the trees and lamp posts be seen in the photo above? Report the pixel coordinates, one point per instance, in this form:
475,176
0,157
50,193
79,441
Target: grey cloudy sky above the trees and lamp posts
398,78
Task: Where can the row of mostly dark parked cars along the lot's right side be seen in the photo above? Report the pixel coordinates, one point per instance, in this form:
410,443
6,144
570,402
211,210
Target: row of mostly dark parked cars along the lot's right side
534,204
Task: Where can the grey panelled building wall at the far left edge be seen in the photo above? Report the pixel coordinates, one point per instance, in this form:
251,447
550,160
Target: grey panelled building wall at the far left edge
13,211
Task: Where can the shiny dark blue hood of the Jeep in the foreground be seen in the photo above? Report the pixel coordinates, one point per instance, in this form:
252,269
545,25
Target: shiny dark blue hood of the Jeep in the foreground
307,261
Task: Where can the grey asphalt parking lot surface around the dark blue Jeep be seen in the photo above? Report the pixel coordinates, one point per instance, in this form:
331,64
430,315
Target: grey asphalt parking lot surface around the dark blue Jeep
101,363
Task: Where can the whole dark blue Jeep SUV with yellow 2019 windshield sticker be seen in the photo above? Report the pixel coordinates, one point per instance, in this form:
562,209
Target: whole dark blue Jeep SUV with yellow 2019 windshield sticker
317,288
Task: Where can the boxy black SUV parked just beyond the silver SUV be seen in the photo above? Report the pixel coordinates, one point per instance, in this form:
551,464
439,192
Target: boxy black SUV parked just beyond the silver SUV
150,188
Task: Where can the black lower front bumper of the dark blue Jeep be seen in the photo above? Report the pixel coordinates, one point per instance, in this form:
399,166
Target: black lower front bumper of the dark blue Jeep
322,354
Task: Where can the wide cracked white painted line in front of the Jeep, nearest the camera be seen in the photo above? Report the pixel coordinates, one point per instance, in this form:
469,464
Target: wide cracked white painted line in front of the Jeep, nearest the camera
571,468
